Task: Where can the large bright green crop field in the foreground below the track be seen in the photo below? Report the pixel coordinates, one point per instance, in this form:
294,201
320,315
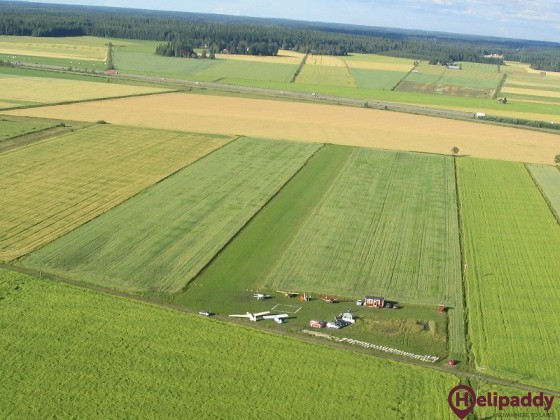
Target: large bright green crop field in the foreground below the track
66,351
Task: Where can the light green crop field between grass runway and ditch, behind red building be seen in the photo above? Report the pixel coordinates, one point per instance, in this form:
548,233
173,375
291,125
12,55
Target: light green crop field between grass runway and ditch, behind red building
387,226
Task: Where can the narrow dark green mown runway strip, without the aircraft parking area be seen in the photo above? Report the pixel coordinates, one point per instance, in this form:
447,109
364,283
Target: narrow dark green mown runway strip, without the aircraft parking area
247,260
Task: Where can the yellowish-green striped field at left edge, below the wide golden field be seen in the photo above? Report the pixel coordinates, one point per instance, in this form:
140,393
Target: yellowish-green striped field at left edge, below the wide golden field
51,187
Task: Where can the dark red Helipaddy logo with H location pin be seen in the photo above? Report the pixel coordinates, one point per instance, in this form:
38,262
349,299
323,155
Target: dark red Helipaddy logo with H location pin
462,400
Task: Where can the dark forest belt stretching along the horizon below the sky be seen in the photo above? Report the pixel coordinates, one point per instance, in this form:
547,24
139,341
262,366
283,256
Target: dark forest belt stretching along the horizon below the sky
181,32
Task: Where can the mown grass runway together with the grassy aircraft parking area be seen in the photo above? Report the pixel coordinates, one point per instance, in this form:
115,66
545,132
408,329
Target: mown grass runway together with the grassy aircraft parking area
247,260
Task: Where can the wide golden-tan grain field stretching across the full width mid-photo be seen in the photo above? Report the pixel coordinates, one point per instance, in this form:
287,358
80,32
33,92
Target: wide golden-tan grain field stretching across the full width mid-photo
313,122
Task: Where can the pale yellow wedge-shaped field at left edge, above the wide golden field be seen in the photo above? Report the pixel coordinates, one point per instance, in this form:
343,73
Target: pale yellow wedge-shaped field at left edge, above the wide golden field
20,90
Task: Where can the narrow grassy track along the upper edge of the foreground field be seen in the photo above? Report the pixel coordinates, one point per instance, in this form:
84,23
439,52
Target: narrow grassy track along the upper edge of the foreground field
339,346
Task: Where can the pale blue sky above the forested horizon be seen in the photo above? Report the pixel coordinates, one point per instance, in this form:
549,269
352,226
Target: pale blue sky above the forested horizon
527,19
